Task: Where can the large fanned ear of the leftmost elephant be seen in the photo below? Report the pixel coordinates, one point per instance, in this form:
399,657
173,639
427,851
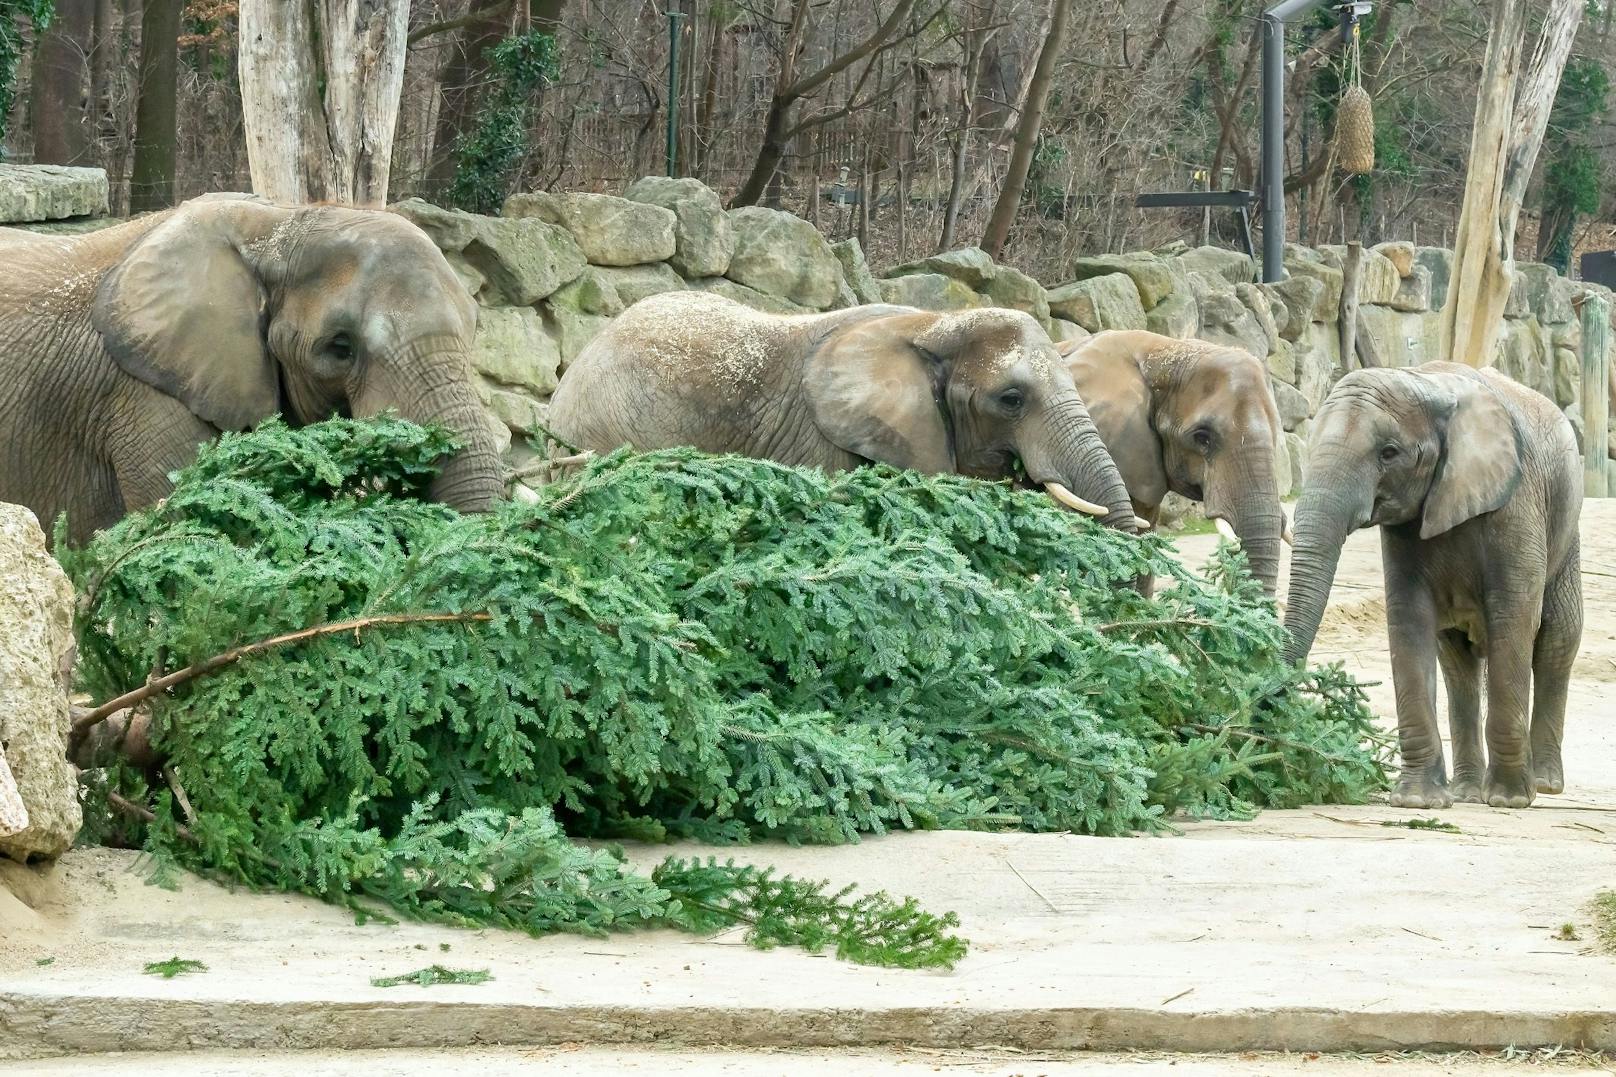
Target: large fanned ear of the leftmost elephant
183,311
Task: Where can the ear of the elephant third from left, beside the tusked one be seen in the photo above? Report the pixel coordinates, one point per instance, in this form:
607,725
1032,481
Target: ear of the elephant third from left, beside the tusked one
1111,381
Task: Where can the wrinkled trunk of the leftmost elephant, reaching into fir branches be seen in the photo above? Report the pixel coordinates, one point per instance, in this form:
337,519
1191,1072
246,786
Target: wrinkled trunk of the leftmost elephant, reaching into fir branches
437,389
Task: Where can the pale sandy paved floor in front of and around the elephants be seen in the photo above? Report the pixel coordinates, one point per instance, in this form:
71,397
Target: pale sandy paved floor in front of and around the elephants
1303,931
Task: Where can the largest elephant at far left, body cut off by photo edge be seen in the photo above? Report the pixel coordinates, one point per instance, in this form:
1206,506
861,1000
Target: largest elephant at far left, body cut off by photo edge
124,350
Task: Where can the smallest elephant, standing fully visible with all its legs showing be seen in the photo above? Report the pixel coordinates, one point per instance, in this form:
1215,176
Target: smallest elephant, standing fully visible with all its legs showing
1476,486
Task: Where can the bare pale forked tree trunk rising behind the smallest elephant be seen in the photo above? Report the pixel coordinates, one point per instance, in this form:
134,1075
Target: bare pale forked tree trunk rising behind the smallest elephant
1512,112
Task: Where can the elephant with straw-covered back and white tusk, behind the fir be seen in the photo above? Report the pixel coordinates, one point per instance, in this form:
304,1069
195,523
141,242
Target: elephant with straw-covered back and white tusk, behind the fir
966,394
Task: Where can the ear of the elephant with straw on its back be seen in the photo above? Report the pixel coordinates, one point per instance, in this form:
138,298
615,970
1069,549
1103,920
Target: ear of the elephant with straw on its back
877,391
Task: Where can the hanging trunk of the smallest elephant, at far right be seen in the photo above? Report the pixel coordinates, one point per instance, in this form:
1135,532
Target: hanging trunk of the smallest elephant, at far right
1334,505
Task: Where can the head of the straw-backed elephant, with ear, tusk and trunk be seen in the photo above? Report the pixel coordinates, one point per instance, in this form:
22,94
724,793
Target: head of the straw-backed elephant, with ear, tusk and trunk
980,394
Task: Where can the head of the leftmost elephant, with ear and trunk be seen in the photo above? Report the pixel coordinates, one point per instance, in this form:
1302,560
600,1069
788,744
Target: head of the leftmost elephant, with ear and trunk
242,310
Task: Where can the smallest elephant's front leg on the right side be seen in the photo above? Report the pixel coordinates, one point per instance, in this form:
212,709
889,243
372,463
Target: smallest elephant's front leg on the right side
1512,620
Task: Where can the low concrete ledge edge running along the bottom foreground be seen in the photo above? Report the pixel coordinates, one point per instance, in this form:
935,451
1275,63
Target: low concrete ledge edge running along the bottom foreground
40,1026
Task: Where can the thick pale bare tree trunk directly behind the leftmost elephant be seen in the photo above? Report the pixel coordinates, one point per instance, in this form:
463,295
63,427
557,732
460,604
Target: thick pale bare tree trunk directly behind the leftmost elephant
321,95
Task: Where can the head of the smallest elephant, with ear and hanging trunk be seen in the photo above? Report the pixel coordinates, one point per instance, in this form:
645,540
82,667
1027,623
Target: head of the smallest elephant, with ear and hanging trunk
1431,447
